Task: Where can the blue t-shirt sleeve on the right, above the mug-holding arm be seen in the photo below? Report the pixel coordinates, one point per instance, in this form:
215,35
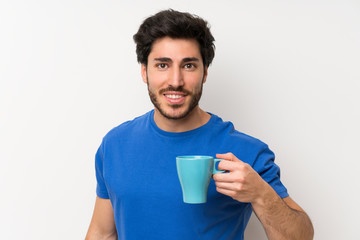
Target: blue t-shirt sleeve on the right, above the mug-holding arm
269,171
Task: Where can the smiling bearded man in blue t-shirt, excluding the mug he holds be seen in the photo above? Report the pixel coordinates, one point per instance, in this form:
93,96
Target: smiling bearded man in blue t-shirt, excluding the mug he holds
138,191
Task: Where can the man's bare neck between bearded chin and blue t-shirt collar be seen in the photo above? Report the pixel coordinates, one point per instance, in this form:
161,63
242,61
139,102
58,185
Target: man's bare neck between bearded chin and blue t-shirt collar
194,119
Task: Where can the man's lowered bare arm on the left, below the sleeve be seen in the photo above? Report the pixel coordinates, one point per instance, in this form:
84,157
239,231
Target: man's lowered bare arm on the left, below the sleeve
102,224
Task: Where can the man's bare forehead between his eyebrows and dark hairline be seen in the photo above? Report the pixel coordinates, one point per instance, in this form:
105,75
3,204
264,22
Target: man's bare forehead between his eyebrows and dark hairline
175,48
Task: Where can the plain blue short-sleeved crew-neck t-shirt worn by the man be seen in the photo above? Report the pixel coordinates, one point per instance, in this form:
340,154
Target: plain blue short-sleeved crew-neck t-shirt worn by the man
136,170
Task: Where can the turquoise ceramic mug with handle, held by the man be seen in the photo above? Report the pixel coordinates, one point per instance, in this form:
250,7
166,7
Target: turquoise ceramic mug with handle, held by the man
194,174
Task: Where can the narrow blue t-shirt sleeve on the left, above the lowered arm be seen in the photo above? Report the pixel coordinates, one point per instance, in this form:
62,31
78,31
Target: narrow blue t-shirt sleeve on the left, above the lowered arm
101,189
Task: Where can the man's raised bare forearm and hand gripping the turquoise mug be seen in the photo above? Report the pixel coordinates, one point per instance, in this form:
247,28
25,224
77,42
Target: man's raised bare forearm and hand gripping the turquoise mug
281,218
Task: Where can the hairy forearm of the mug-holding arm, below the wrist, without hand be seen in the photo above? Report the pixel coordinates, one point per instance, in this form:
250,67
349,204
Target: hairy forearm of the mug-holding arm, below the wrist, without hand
280,220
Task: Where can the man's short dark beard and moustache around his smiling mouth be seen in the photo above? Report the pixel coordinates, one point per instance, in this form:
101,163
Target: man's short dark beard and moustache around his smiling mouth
194,101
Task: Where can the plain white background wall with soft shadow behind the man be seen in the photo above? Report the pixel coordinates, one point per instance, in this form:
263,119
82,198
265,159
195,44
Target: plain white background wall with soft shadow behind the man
286,72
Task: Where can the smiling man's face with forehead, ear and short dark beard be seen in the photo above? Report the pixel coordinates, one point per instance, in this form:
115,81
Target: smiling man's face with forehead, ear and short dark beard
175,74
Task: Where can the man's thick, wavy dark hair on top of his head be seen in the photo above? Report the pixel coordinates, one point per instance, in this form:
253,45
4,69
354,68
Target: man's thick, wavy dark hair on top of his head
174,24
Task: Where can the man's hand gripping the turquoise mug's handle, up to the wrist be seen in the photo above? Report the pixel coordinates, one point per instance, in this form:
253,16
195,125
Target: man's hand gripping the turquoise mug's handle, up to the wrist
241,182
